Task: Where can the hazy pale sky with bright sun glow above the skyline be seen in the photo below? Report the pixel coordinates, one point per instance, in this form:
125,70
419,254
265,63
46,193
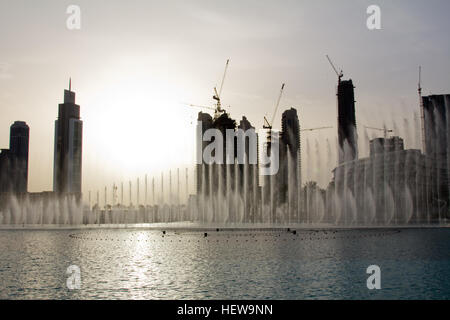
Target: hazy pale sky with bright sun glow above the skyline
136,64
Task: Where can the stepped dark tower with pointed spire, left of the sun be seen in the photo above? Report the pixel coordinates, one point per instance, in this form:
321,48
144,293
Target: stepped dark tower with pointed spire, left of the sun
68,146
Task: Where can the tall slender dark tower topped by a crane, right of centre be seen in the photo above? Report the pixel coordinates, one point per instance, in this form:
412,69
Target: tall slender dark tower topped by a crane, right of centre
347,136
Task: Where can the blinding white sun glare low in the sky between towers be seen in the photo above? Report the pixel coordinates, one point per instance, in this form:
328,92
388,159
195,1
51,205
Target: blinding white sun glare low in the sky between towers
140,126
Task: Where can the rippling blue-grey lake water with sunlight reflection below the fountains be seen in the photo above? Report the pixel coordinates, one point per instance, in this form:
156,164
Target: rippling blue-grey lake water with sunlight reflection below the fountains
238,264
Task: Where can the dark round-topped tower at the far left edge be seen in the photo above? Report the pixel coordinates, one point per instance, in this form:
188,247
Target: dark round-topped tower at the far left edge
14,161
